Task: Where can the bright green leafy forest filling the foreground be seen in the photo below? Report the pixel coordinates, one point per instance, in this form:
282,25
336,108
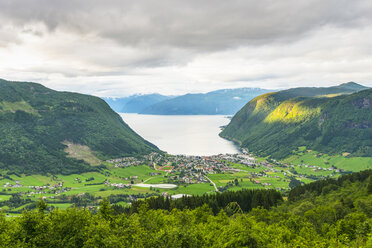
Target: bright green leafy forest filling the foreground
323,214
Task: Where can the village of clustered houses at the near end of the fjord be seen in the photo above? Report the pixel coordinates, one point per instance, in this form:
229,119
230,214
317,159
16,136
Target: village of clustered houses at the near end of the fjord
195,169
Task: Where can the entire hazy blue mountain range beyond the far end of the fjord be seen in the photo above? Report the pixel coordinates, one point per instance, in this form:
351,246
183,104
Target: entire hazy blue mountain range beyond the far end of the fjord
225,102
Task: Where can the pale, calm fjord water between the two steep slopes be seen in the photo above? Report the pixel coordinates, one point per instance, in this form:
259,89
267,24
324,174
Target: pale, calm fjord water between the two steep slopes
183,134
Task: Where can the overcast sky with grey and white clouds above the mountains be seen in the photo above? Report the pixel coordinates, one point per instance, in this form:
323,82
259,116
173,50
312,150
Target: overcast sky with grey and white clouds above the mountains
116,48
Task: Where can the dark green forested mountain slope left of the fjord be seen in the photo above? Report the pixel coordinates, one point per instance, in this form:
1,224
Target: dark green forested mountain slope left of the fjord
38,123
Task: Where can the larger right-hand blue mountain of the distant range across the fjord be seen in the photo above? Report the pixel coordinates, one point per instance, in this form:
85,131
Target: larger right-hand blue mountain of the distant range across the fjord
227,101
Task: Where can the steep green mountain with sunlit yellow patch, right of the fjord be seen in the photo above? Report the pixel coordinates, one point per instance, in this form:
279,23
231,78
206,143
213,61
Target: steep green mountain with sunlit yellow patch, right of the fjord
329,120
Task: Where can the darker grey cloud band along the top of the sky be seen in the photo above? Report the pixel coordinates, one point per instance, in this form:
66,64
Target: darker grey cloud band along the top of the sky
193,24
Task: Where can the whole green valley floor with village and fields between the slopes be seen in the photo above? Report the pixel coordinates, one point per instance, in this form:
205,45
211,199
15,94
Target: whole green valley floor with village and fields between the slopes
126,179
